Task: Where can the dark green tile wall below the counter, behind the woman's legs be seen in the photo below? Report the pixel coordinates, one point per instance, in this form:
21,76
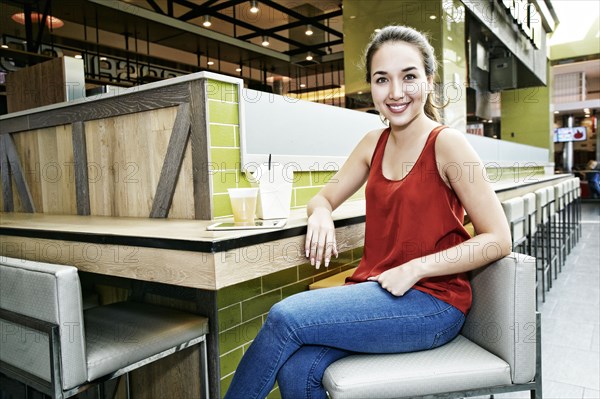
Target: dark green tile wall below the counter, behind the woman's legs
242,308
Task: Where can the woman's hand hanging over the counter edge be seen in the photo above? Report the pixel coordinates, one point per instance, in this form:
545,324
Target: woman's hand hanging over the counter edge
320,241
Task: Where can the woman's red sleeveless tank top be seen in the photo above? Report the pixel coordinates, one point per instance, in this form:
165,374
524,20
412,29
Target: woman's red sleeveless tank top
410,218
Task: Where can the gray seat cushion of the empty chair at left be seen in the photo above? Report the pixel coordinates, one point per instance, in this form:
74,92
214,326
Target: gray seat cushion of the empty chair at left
124,333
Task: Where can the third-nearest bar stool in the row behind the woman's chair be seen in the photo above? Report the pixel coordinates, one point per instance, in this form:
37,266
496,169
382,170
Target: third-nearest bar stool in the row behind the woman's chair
541,239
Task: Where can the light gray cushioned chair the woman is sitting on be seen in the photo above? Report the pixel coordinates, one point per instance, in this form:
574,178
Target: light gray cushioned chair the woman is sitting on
497,351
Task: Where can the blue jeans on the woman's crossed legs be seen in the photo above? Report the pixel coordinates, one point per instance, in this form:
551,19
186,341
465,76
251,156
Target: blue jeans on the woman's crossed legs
305,333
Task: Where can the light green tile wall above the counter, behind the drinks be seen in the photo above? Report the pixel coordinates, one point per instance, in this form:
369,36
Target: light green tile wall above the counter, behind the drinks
224,132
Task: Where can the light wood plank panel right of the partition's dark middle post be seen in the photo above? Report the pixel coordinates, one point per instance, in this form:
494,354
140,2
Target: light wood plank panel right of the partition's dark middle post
125,156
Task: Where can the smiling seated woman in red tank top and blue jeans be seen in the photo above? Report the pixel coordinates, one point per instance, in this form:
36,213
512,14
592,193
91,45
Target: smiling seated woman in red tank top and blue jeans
410,291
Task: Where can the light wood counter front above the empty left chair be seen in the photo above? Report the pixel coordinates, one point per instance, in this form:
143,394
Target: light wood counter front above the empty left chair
181,268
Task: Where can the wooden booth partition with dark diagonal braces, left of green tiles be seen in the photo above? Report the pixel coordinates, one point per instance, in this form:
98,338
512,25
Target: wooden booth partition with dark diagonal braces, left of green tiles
143,153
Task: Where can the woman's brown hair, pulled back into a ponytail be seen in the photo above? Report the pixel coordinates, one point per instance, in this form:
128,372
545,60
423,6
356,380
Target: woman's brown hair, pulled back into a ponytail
419,40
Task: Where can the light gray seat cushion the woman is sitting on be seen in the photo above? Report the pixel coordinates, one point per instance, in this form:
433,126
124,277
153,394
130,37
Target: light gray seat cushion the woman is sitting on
458,365
